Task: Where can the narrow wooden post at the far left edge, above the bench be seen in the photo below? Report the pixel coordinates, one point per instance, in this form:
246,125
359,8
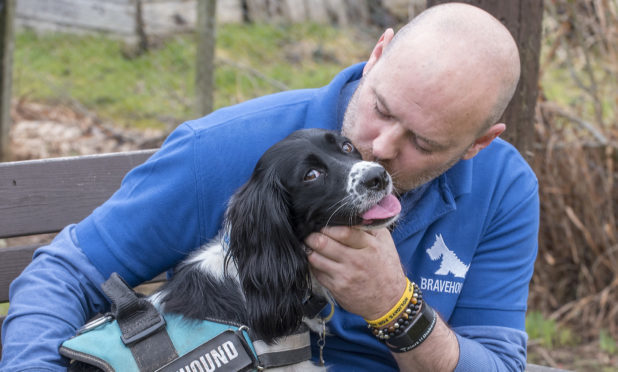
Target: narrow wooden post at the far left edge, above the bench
7,15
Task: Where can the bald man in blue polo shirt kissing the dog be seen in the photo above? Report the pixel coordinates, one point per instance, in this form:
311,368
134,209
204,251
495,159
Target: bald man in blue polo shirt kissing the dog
426,106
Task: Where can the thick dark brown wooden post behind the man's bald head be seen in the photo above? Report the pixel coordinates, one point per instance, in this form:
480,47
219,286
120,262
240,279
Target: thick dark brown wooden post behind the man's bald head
523,18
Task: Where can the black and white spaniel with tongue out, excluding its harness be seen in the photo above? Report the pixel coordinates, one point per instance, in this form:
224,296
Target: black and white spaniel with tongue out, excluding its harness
256,271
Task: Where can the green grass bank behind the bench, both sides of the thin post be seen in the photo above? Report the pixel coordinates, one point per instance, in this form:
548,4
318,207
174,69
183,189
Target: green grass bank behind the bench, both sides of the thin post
158,86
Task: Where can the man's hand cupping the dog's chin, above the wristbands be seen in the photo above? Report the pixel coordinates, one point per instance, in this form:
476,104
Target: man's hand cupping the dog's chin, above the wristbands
361,268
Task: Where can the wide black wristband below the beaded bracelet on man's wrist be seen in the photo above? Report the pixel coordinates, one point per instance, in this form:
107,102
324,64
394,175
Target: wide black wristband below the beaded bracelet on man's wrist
416,333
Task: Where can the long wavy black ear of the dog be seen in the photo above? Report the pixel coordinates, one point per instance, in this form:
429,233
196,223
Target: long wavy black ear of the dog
271,261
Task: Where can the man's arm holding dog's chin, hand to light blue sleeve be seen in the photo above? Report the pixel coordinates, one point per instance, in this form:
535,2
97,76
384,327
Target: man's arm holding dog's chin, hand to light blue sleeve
351,262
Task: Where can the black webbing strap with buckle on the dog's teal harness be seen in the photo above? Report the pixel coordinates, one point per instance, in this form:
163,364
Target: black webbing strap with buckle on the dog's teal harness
142,326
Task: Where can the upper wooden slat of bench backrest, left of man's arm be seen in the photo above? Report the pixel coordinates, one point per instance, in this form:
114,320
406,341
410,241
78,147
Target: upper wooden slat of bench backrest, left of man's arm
42,196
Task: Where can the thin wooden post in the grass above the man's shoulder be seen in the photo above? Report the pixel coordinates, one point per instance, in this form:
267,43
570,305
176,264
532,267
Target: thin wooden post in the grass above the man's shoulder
205,55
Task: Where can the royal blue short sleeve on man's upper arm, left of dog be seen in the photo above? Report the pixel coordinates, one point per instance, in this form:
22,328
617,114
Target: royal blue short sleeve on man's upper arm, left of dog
153,220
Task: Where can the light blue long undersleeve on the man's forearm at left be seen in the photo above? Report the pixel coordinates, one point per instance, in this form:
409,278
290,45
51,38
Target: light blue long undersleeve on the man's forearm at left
50,300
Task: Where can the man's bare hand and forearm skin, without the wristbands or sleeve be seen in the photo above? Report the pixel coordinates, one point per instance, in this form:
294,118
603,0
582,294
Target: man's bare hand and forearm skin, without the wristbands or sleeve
368,280
